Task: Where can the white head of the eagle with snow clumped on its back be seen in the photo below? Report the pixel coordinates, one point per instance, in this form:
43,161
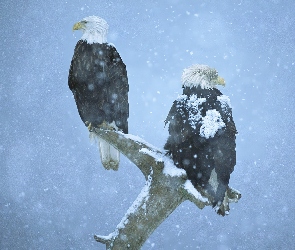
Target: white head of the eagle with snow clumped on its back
201,75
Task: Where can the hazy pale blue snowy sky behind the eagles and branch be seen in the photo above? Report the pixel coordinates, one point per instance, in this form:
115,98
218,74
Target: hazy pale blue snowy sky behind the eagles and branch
54,192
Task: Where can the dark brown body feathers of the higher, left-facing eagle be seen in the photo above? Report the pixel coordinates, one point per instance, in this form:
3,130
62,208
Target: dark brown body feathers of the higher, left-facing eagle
98,80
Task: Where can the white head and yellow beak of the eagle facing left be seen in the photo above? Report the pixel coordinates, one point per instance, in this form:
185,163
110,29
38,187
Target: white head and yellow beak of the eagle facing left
94,29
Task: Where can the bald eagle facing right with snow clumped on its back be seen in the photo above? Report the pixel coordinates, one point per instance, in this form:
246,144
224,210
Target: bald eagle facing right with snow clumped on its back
202,132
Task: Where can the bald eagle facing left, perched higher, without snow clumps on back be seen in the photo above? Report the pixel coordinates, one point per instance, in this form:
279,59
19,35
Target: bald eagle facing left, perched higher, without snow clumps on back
98,80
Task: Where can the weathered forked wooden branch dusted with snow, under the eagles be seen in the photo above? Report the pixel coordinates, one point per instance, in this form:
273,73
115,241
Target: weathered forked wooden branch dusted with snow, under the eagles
165,189
